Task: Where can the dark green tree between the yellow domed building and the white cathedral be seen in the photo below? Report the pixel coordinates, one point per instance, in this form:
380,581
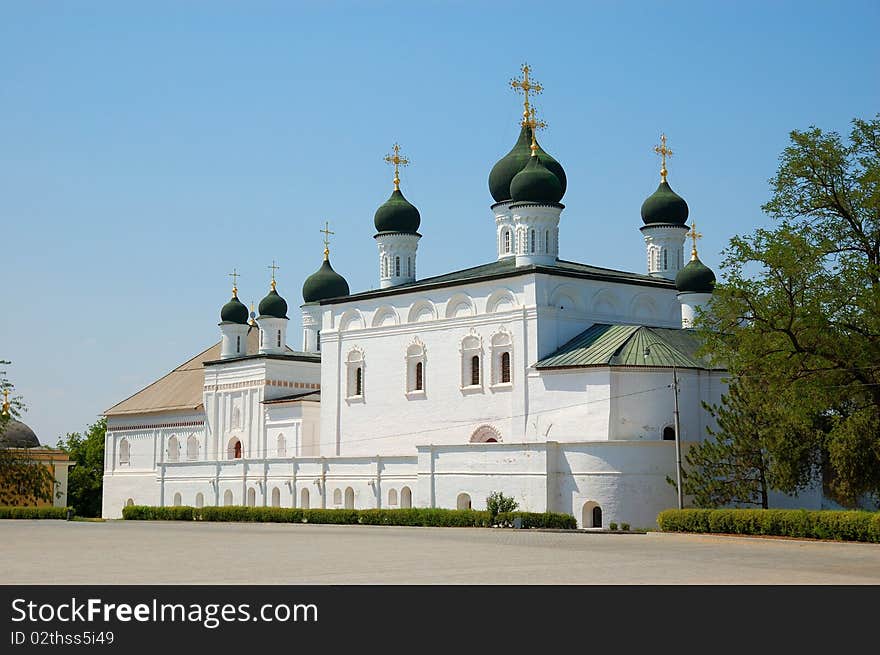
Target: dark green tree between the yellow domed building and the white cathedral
86,479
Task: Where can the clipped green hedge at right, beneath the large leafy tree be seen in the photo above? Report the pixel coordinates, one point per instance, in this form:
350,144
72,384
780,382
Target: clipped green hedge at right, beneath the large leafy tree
822,524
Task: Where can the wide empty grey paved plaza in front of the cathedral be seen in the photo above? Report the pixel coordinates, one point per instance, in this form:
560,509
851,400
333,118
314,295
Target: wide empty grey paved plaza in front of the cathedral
120,552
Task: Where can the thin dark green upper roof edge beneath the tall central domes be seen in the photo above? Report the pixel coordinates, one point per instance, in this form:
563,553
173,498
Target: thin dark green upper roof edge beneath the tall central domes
507,268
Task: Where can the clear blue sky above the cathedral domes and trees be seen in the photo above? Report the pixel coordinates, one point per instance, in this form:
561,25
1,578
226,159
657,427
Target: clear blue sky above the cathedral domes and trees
146,149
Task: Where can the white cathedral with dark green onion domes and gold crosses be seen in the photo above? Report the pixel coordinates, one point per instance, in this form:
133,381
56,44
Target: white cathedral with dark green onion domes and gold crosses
545,379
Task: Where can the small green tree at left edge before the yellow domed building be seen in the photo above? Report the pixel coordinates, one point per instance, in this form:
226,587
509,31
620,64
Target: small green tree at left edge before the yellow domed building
23,480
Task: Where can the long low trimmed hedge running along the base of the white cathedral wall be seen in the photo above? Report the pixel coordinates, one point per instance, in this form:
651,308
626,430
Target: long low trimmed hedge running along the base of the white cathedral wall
415,516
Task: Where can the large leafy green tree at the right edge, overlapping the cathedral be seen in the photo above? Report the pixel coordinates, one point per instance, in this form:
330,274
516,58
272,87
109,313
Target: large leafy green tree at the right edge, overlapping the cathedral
799,309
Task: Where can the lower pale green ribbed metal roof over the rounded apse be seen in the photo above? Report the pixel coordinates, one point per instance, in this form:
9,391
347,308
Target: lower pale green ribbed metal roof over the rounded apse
630,345
